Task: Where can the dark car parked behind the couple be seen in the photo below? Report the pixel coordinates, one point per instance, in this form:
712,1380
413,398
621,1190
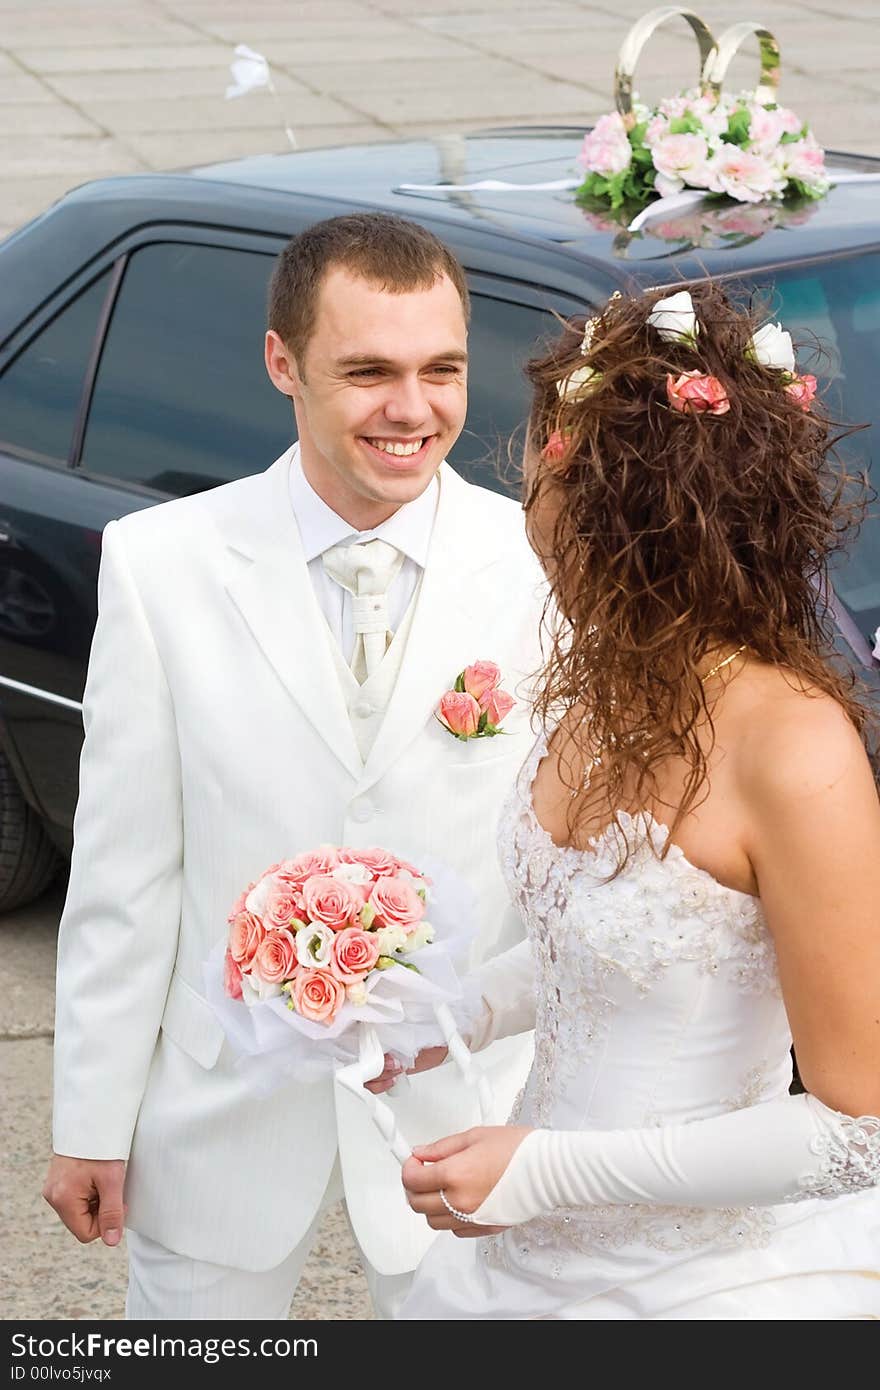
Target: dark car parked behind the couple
131,327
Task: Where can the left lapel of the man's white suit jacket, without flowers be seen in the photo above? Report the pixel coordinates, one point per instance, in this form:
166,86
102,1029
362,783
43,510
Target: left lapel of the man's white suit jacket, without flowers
269,583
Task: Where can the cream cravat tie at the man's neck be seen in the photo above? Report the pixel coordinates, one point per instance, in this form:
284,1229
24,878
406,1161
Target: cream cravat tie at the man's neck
366,569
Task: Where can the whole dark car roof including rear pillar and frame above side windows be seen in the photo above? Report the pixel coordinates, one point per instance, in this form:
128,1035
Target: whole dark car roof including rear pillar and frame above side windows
537,237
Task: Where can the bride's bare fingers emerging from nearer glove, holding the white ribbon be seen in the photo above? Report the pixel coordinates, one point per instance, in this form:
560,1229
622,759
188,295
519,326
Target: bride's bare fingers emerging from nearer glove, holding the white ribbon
468,1167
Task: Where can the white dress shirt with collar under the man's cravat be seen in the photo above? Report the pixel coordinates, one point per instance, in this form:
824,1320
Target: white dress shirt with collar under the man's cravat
320,528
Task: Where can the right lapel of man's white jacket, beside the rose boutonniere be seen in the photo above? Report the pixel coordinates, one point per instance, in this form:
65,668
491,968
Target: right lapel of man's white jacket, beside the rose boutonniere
447,625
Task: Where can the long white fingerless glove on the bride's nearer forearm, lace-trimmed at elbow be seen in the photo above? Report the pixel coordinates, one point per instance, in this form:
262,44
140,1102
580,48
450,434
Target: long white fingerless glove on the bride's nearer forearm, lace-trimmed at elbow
781,1152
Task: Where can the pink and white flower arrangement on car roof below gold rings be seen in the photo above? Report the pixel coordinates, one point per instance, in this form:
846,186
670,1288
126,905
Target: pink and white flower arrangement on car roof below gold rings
740,147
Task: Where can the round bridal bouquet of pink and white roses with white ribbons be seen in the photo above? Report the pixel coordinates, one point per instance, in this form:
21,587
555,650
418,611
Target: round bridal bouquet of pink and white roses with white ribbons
330,961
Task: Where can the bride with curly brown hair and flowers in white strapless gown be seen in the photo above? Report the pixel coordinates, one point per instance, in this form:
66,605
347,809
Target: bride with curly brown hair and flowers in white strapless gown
696,850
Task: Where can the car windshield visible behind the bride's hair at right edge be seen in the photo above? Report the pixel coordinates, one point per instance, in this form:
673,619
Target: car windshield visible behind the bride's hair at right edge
839,306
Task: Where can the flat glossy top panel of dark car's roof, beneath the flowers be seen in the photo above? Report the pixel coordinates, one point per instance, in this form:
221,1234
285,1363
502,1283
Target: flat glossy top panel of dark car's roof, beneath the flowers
380,174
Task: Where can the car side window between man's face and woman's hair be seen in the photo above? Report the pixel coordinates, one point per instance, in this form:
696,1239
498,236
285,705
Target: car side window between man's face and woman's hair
501,341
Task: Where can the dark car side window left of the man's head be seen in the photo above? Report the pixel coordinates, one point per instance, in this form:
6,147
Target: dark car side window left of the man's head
181,400
